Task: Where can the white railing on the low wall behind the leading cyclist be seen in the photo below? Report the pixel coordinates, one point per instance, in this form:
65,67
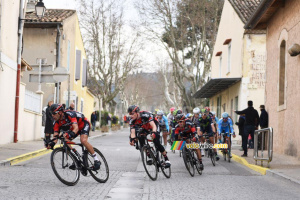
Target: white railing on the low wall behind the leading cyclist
32,101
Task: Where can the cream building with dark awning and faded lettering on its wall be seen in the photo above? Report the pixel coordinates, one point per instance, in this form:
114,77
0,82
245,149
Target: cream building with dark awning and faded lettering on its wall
238,62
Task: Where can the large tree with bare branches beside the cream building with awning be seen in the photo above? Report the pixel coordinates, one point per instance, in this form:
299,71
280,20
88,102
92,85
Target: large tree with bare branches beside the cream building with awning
186,29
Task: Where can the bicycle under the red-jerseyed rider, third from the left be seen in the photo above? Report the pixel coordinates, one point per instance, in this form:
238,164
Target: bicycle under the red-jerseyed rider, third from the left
190,158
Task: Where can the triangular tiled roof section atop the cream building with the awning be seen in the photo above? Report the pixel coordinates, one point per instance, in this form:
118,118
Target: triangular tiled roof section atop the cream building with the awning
244,8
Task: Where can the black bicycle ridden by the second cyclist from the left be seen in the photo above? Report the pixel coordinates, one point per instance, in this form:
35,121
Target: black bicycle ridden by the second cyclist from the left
150,156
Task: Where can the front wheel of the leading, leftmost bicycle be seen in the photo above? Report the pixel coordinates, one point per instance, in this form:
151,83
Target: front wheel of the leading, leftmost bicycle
61,162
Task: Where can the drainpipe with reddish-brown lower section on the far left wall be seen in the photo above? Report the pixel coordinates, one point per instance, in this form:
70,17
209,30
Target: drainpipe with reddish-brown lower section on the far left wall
19,56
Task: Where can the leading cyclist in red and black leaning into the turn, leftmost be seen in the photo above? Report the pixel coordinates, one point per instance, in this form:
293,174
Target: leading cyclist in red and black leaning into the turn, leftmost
73,123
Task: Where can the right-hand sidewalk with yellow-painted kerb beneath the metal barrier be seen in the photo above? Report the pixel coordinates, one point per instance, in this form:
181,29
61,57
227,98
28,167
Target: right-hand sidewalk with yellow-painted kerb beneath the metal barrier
282,166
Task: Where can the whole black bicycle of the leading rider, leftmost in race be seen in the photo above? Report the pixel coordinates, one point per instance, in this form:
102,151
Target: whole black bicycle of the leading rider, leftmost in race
67,163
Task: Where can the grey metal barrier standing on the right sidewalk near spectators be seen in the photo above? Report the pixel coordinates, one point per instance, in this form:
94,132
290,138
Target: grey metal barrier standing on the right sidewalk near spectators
269,132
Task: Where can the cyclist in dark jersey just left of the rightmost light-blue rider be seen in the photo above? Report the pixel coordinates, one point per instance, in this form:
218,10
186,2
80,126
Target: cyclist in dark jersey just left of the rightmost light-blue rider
205,125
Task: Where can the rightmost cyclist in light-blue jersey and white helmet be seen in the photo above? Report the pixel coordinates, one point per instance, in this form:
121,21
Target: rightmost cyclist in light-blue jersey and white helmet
225,126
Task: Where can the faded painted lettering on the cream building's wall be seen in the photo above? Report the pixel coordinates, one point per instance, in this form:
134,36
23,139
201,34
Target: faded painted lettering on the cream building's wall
257,70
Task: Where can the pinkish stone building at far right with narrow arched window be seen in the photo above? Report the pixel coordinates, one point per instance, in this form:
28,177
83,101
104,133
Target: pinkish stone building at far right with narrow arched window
280,19
